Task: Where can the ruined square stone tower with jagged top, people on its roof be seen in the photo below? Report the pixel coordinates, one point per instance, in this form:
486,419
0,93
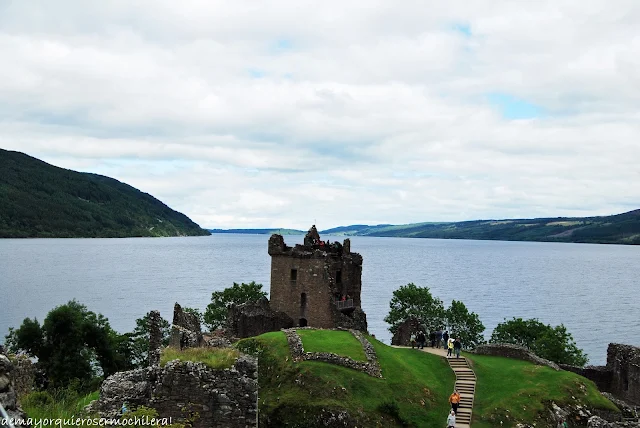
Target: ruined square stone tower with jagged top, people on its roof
318,284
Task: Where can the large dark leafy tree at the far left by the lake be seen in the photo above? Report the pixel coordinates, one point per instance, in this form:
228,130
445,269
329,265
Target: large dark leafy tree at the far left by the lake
70,343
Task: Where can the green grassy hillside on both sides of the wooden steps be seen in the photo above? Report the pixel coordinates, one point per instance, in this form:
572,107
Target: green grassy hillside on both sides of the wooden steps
414,391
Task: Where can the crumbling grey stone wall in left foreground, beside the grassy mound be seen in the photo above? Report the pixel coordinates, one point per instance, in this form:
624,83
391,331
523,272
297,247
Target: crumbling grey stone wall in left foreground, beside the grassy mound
187,391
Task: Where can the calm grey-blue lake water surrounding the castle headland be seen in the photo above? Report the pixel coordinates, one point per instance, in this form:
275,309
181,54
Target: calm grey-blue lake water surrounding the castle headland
591,289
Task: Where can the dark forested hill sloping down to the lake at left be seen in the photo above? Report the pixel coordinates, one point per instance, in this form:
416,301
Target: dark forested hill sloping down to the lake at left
38,200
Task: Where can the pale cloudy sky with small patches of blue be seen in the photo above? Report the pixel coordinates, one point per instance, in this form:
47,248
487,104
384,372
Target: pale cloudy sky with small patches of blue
245,114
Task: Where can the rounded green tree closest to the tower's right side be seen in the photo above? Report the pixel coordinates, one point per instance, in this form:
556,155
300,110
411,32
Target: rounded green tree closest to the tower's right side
413,301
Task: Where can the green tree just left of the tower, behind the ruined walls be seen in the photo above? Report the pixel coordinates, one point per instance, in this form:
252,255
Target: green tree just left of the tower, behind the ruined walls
216,314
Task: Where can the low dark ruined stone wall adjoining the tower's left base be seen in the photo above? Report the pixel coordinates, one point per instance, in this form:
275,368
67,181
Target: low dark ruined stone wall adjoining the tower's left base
254,319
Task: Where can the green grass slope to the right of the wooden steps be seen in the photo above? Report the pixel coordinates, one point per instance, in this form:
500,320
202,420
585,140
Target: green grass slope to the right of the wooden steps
522,388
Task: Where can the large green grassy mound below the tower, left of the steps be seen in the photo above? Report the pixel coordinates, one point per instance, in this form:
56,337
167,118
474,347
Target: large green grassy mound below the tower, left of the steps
414,390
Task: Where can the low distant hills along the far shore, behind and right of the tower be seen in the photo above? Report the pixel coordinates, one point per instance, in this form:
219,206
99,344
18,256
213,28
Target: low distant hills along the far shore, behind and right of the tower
615,229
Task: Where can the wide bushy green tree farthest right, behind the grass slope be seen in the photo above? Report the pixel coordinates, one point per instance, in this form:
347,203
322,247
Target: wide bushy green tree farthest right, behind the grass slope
553,343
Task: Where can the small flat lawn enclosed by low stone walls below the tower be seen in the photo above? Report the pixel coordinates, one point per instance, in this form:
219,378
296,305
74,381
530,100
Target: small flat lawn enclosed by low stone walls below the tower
341,343
